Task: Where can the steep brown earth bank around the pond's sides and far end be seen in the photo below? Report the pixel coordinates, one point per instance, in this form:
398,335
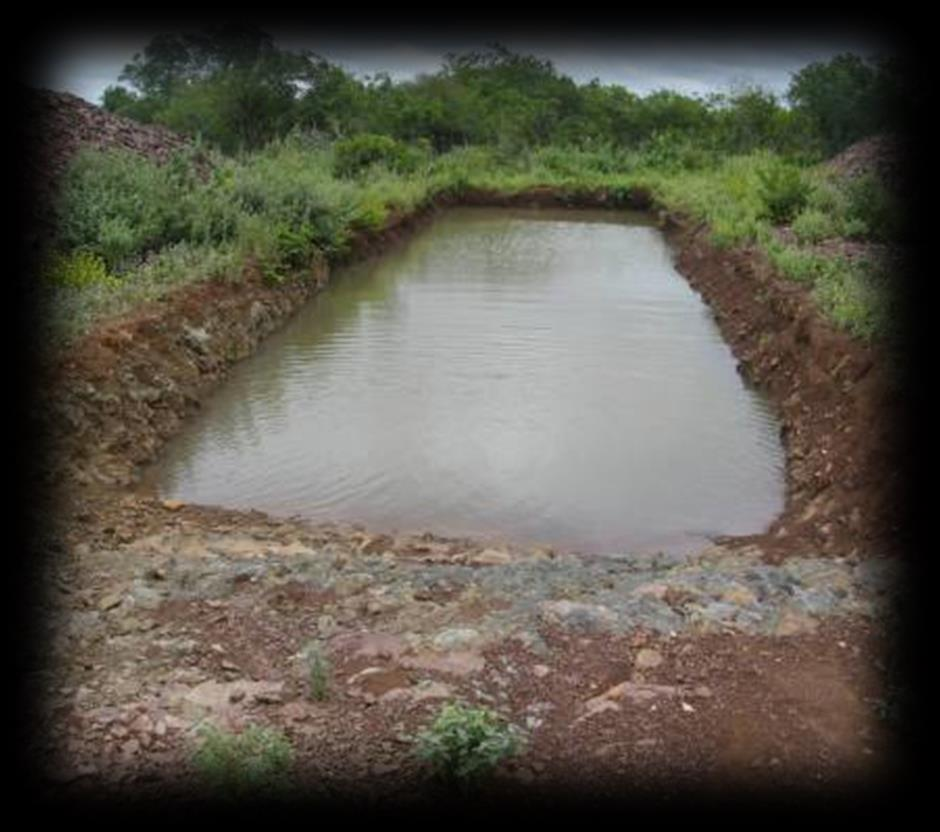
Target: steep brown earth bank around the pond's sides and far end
126,387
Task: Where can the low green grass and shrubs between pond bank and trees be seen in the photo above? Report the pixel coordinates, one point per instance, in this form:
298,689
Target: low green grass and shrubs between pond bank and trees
132,229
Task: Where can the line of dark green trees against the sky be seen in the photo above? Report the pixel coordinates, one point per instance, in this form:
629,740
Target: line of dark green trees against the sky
234,88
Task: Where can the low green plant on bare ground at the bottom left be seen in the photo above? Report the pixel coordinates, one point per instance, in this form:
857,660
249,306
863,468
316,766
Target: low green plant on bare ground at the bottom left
236,764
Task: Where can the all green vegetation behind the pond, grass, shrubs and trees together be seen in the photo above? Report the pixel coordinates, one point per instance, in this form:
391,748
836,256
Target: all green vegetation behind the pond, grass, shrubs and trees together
304,155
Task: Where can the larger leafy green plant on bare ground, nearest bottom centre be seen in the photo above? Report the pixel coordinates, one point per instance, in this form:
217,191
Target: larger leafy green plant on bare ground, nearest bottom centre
464,743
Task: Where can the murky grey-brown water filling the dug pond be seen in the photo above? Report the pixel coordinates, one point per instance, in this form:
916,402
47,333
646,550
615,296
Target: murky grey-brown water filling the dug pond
539,376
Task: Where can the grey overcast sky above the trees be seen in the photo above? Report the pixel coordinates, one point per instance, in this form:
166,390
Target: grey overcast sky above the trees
85,64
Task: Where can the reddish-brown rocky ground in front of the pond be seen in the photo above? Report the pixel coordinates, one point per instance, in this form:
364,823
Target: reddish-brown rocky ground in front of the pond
623,671
